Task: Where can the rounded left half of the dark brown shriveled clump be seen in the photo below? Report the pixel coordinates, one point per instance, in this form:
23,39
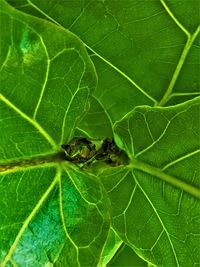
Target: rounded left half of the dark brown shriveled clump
79,150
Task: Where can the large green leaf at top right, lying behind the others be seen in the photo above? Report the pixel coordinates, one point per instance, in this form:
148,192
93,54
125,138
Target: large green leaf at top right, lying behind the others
144,52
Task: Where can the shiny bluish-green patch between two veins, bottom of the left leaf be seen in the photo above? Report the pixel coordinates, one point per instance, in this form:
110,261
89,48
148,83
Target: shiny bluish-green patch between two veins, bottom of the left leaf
43,240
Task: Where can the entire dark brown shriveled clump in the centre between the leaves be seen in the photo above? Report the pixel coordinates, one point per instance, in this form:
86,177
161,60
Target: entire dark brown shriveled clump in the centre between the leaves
81,150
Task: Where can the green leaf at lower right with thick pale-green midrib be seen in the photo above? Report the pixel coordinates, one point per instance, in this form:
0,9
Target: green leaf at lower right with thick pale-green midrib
155,199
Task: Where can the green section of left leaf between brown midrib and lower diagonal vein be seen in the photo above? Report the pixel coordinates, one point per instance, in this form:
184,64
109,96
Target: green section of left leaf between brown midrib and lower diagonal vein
18,193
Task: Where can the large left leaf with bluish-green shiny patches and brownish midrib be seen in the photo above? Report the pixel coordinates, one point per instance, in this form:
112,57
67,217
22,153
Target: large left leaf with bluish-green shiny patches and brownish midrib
52,213
